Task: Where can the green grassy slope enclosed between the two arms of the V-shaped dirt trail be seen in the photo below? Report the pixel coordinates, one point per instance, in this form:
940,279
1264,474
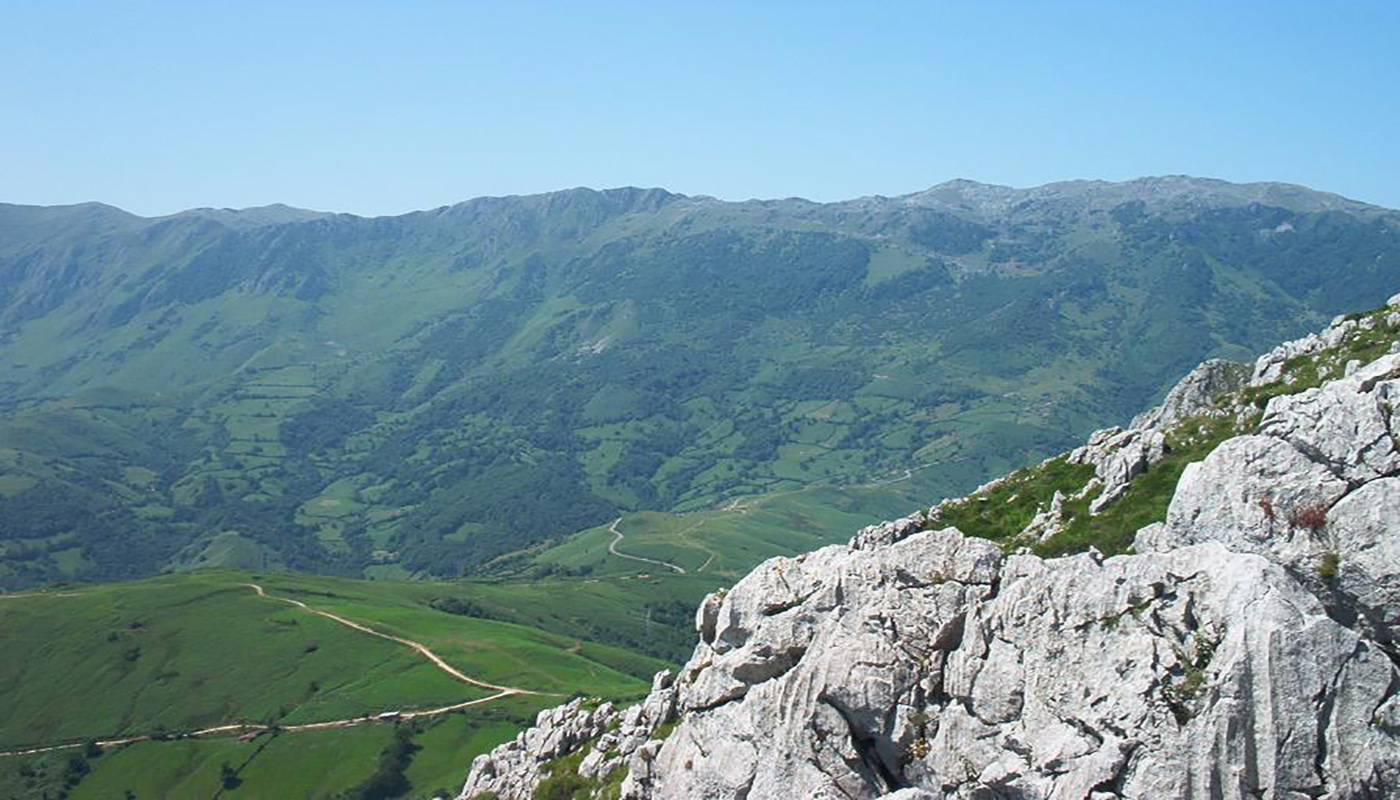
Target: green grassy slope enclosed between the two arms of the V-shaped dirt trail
190,654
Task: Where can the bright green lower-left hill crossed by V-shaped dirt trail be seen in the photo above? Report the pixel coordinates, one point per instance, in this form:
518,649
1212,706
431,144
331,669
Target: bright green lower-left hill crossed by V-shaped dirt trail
160,659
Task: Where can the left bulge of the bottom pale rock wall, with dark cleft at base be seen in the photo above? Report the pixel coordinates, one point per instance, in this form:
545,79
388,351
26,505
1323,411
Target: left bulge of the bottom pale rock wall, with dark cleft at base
810,683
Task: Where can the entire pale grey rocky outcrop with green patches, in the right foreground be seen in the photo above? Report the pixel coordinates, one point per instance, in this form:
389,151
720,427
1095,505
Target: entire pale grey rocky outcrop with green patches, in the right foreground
1244,647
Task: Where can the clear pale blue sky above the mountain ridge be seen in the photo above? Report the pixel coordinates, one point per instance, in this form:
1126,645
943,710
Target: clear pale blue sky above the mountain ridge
381,109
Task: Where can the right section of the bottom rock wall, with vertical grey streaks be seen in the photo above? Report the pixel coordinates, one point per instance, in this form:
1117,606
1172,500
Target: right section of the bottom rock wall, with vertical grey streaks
1192,675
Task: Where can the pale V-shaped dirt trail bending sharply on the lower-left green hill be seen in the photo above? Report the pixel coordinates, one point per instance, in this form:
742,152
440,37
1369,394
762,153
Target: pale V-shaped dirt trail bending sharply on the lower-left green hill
365,719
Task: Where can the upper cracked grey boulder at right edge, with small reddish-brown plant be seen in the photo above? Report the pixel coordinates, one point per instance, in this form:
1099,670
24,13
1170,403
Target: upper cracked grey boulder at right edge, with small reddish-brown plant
1317,488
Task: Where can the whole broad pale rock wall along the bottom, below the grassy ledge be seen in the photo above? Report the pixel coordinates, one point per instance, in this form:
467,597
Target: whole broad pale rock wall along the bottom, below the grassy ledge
1198,673
